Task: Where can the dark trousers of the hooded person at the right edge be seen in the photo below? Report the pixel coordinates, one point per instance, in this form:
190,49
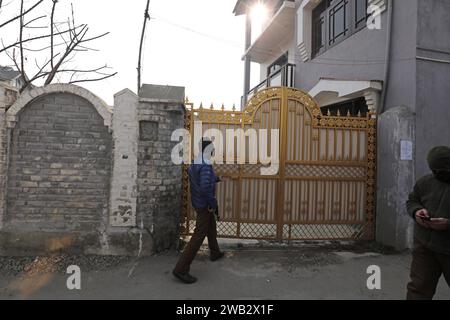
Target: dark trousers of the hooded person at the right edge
426,270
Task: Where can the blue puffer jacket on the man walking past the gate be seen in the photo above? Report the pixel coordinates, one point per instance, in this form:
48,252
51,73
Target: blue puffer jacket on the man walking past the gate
203,185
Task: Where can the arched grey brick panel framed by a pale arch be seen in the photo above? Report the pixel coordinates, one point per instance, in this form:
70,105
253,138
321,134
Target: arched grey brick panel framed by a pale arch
60,166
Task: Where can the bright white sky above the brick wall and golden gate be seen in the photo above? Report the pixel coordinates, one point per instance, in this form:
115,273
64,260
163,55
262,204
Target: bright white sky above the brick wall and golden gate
197,44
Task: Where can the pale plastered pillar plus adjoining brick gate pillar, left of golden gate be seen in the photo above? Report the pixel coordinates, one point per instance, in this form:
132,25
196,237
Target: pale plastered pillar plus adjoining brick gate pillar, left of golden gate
146,187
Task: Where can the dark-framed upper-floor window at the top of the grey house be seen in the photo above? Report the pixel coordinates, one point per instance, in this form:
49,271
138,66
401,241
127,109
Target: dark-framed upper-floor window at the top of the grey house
335,20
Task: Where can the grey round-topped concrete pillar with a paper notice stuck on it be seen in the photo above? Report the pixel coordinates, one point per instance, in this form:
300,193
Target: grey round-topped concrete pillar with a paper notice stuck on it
396,136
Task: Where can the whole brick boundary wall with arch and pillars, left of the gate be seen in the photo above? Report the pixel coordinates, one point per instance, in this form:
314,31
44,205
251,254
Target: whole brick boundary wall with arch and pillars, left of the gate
88,177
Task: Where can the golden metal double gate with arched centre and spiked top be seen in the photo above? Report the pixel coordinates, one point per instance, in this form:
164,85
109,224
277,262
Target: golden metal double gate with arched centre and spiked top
325,185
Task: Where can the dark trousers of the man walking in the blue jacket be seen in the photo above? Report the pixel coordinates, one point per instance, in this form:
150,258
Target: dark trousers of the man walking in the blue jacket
205,227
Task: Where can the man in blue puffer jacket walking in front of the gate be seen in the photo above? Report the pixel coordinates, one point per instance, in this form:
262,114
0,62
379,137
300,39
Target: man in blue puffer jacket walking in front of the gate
202,181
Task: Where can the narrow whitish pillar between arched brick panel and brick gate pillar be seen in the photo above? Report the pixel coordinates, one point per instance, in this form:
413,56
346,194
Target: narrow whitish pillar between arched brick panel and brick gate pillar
125,128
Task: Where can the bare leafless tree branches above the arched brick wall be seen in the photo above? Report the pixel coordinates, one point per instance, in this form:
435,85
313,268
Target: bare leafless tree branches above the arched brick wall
53,45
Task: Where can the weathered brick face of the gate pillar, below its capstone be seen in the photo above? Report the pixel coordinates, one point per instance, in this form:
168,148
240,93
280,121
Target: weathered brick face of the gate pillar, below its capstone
159,180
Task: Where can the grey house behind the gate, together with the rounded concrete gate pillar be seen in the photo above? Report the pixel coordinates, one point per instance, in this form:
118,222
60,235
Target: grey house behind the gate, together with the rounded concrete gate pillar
354,56
